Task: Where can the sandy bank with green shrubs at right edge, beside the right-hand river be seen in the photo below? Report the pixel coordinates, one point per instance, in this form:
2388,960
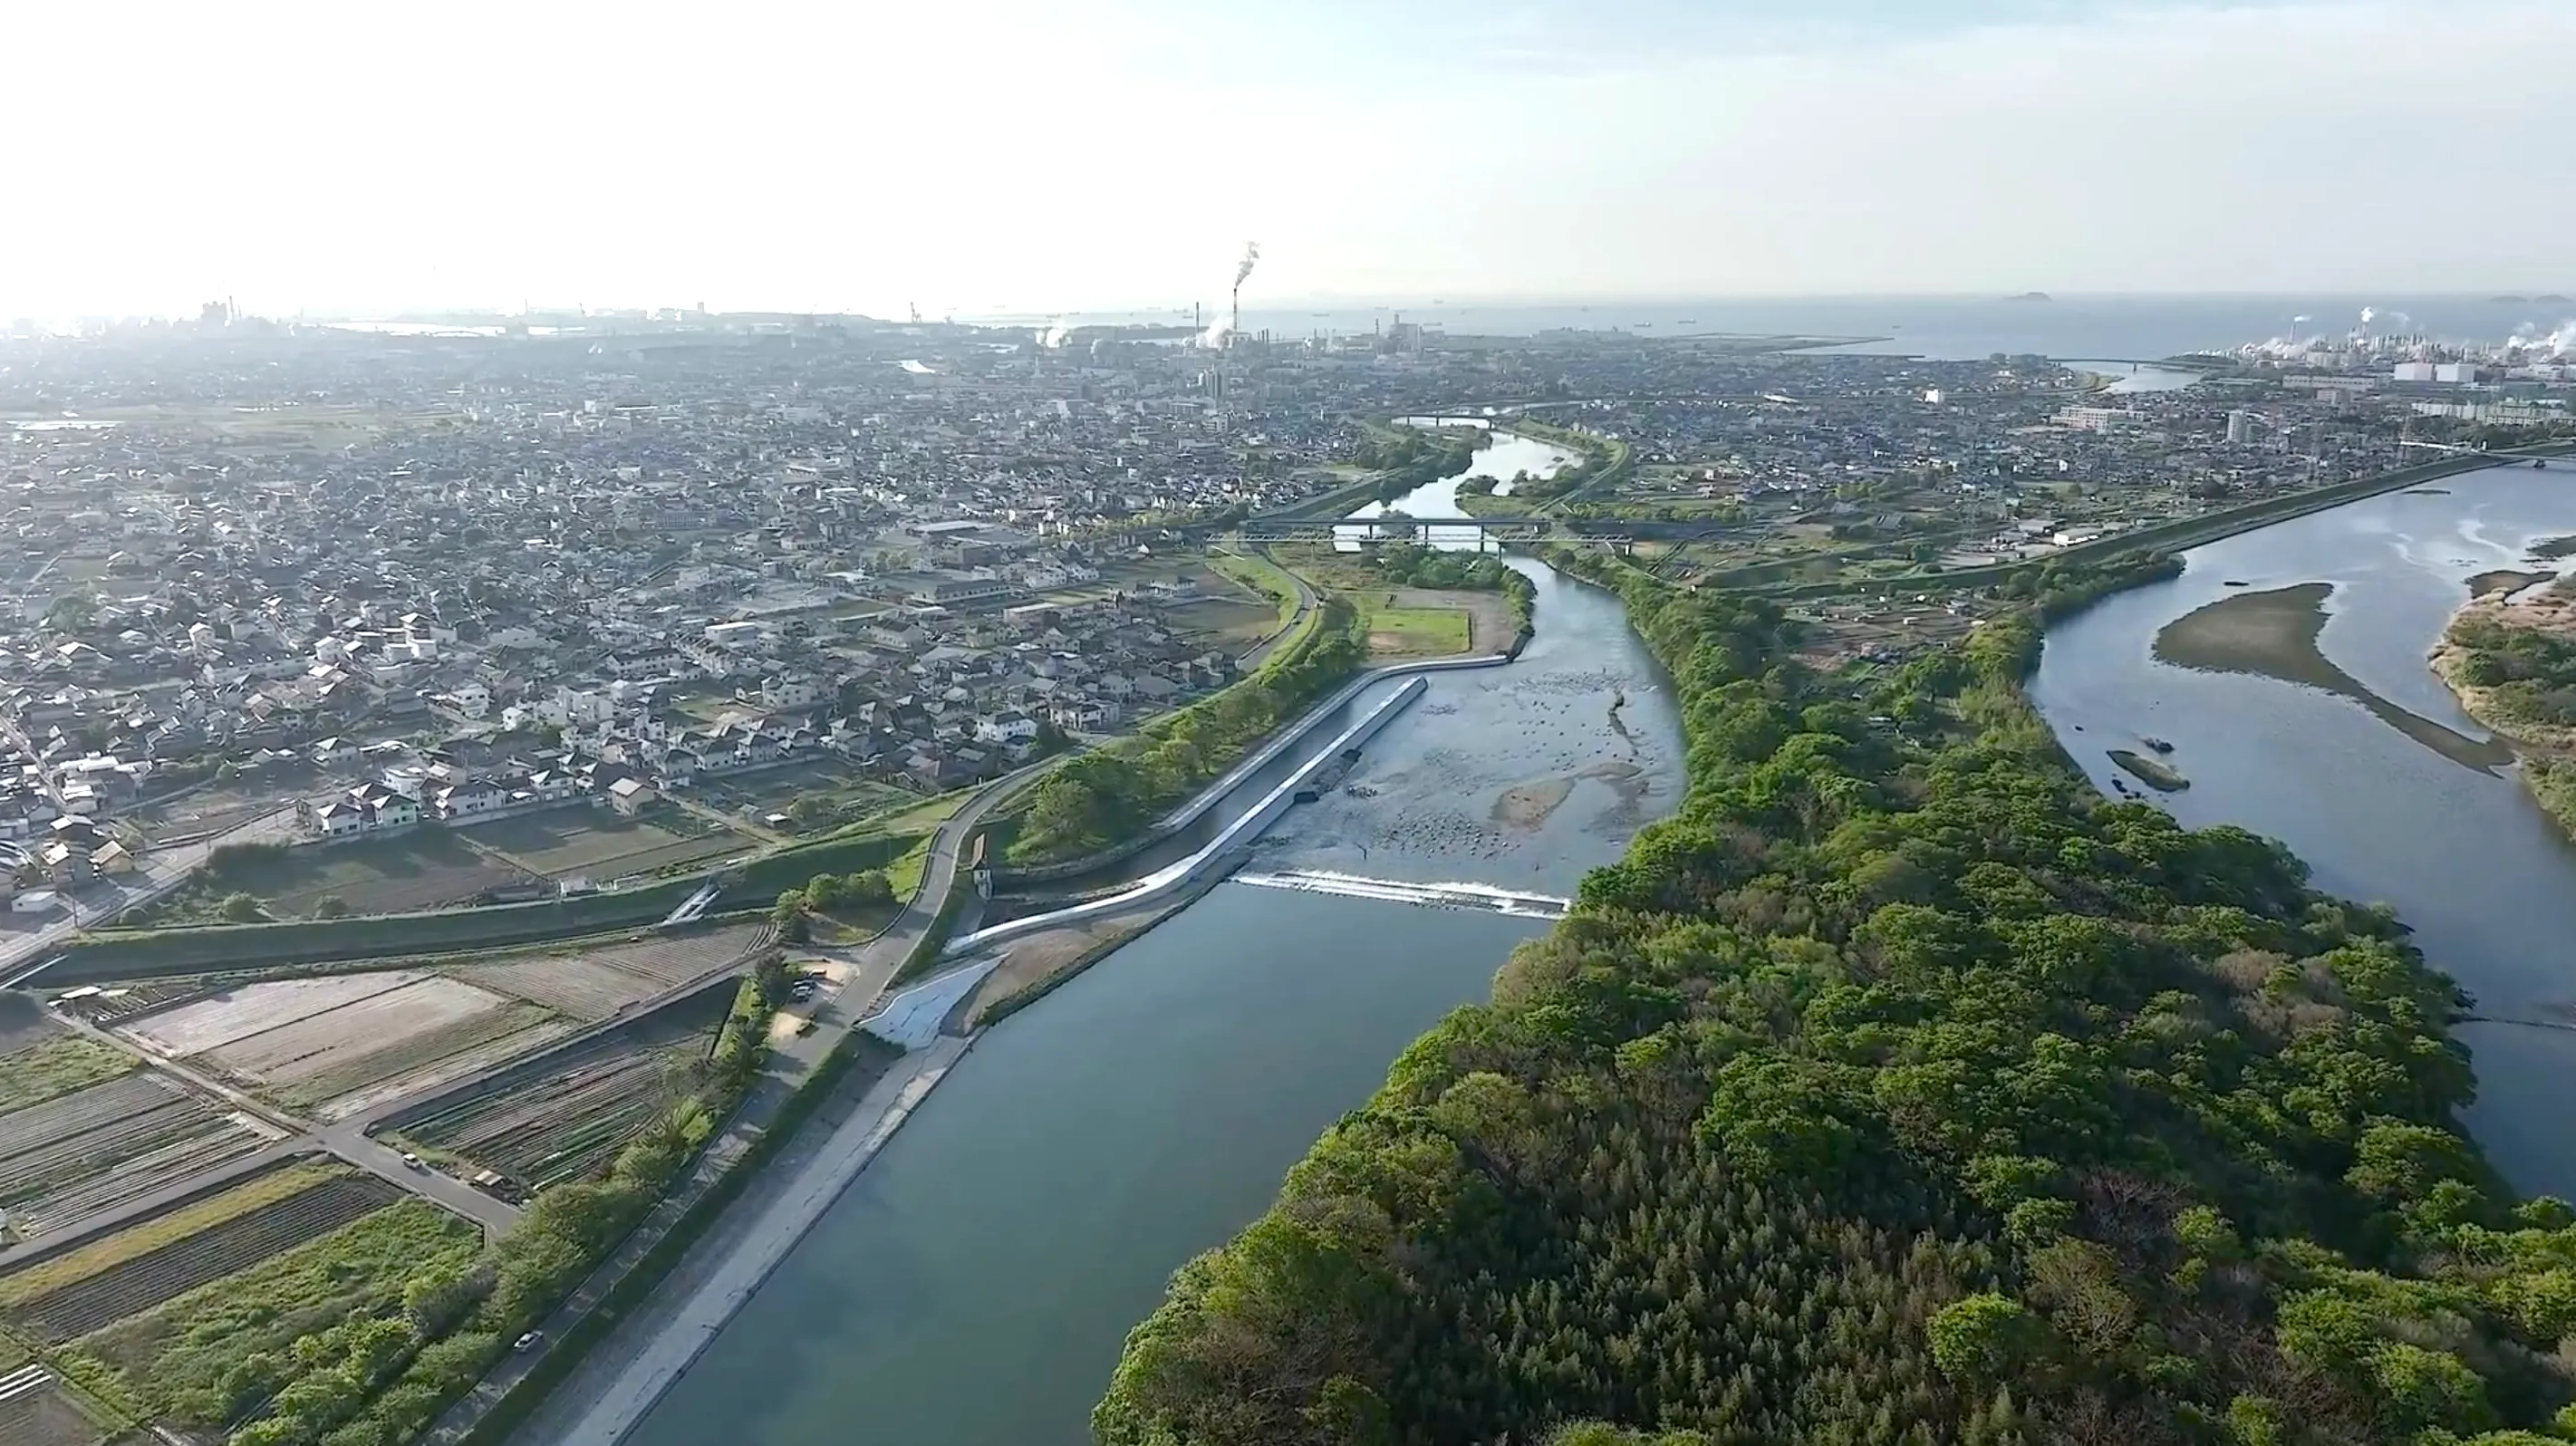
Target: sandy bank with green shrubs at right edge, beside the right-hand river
2515,671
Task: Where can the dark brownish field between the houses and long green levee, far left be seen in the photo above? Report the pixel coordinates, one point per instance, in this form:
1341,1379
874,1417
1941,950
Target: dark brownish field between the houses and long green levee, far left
416,872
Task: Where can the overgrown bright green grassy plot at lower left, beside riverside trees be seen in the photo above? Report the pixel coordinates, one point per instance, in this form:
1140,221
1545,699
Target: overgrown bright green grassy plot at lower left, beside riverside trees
176,1360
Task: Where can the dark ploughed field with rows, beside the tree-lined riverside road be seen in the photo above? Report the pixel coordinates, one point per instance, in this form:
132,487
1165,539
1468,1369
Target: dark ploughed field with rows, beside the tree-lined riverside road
573,1120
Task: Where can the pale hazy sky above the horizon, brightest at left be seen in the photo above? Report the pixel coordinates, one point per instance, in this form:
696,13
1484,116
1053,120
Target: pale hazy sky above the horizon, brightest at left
983,156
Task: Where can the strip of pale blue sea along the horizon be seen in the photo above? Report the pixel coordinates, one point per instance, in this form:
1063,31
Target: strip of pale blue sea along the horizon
2070,329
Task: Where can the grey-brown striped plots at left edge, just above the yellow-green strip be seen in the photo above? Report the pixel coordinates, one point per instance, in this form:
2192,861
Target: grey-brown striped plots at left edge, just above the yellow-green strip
104,1146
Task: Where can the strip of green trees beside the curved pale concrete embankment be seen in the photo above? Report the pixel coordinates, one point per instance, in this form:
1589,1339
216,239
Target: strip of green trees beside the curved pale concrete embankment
1119,790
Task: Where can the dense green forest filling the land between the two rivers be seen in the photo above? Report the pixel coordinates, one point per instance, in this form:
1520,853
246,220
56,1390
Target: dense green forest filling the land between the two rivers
1897,1092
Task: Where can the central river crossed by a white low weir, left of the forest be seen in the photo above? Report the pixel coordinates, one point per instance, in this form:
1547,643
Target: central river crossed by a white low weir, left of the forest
980,1277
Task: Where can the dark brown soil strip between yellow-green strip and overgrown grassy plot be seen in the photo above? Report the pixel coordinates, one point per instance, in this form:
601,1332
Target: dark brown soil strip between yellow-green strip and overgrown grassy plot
207,1257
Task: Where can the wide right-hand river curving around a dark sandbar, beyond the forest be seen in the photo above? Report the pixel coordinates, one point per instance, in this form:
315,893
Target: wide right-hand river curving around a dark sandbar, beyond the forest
2358,759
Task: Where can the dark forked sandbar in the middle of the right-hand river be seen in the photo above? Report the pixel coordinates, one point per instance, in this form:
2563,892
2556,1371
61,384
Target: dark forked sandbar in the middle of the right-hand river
2276,635
